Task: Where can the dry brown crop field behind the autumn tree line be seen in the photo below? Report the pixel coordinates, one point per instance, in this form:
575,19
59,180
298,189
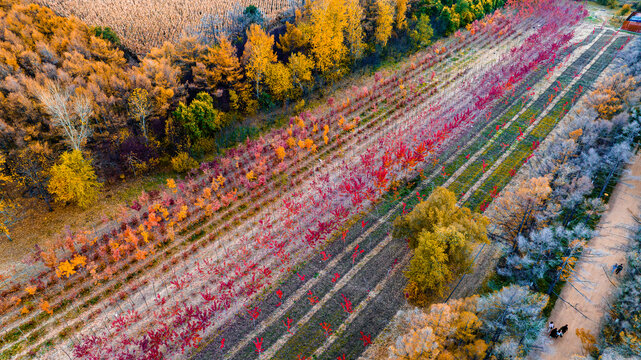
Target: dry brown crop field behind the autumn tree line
143,24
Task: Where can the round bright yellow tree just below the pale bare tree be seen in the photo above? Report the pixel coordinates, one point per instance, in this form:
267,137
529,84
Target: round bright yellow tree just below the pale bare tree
74,180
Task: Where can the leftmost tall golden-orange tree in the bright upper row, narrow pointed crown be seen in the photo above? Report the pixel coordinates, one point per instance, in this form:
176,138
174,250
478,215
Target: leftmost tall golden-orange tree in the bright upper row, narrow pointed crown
259,54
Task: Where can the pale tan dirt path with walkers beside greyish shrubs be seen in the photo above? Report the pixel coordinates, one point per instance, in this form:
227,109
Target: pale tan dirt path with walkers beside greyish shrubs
590,293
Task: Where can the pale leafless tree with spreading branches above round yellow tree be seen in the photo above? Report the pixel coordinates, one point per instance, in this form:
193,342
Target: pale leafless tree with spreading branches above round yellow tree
68,111
